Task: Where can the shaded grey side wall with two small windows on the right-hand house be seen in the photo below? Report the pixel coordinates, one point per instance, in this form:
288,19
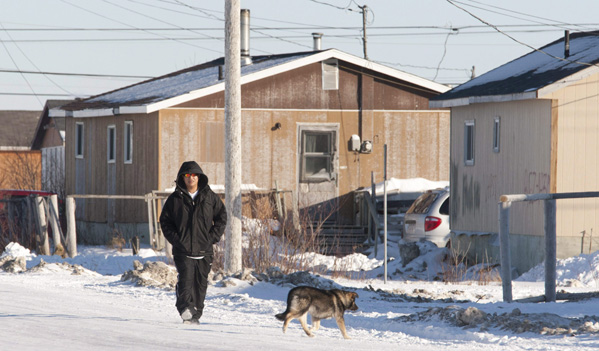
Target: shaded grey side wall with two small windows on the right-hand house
521,166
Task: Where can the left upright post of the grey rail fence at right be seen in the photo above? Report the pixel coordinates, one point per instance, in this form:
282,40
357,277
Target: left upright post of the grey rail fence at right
504,250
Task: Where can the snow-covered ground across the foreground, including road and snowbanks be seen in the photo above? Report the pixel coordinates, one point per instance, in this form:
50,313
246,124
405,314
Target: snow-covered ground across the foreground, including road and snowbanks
83,303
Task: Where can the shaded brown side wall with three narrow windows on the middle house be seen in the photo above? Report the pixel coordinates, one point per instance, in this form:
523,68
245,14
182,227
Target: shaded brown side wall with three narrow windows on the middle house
93,175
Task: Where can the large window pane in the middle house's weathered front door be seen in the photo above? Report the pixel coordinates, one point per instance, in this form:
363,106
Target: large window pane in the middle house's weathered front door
317,156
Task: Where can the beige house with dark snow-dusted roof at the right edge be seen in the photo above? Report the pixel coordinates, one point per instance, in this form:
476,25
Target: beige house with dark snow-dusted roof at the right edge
529,126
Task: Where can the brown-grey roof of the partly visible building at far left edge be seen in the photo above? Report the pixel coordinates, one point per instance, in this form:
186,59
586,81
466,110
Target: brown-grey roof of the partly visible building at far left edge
18,128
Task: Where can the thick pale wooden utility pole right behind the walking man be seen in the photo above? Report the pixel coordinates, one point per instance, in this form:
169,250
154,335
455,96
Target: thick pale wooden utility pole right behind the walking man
233,263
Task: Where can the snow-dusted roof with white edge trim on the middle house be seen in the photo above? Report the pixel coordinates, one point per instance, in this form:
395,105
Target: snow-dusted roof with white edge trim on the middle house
201,80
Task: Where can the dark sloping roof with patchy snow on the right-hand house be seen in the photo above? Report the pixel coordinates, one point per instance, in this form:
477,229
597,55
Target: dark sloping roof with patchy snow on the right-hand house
528,74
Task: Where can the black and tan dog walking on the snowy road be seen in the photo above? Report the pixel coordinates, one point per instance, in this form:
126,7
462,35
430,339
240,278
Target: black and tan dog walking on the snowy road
321,304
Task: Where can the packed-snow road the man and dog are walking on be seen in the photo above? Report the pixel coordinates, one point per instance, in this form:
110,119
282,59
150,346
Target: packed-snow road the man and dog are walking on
60,311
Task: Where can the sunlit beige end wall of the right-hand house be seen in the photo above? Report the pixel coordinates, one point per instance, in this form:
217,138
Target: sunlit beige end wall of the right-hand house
577,163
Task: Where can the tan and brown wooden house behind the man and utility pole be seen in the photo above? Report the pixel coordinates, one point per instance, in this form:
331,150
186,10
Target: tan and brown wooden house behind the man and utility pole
313,123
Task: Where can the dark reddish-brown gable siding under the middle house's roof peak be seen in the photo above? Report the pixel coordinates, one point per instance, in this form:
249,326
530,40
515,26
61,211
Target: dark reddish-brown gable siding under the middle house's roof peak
302,89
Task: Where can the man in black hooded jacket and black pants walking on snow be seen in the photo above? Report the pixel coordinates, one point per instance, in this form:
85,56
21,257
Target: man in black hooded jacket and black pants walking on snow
193,220
